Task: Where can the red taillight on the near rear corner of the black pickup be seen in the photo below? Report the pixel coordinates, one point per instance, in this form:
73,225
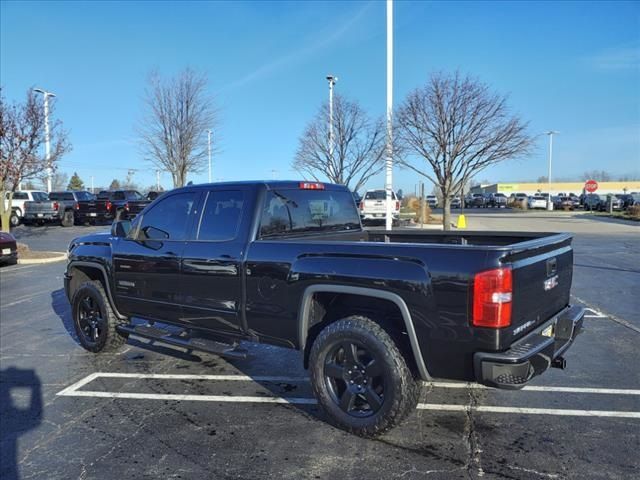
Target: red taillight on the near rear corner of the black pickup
492,296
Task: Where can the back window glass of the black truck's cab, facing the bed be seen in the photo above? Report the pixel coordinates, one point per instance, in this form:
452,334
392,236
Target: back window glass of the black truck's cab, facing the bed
297,211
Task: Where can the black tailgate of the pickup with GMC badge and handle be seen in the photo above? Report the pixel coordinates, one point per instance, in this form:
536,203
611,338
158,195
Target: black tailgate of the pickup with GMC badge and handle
542,275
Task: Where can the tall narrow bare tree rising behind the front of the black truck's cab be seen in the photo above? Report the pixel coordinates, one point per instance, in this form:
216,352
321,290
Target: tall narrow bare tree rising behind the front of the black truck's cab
173,132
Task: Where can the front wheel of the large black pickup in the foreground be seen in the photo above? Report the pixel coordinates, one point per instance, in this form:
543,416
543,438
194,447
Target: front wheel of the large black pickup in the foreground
94,320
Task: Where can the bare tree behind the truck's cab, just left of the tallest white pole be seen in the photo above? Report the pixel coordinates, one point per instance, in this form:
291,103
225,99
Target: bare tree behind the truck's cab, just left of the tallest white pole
358,145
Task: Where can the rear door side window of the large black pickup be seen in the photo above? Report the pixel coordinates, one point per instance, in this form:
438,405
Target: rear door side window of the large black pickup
221,216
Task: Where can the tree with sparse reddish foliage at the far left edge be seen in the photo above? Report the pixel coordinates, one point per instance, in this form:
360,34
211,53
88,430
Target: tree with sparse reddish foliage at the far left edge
21,140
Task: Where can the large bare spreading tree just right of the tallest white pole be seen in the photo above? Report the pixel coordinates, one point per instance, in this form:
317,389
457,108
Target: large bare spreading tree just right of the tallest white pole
458,127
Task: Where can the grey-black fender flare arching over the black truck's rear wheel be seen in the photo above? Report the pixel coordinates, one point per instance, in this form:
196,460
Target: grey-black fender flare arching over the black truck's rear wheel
305,306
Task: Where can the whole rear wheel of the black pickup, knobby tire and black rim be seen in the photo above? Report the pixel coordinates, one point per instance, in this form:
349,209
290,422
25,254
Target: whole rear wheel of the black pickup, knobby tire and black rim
360,378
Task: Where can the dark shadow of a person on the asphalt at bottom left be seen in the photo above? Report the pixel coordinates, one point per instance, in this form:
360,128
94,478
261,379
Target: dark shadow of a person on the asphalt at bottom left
16,415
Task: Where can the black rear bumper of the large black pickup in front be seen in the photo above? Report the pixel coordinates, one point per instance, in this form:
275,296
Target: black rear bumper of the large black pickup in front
531,355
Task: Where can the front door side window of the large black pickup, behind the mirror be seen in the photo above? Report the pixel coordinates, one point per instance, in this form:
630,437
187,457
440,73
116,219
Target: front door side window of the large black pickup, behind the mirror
169,218
